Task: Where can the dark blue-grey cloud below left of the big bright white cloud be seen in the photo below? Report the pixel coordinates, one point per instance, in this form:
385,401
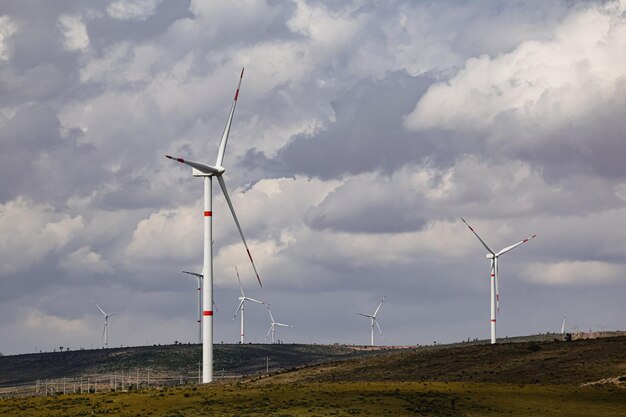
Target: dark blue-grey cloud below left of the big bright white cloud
367,133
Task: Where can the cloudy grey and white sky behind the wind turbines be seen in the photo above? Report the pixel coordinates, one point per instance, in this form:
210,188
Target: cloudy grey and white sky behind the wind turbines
364,131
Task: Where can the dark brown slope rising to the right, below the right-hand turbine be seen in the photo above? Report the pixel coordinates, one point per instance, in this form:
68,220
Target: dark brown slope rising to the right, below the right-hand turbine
573,362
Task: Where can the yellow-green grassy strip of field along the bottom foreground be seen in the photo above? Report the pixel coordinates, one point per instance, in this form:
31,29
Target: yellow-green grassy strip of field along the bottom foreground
336,399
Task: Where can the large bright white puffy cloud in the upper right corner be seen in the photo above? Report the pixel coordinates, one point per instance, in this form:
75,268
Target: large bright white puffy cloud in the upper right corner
542,81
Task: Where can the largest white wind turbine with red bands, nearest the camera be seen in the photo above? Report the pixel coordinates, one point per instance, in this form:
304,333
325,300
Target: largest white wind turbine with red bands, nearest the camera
208,172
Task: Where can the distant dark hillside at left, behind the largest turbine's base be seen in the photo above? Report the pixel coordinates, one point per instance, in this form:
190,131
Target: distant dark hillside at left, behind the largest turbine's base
230,359
